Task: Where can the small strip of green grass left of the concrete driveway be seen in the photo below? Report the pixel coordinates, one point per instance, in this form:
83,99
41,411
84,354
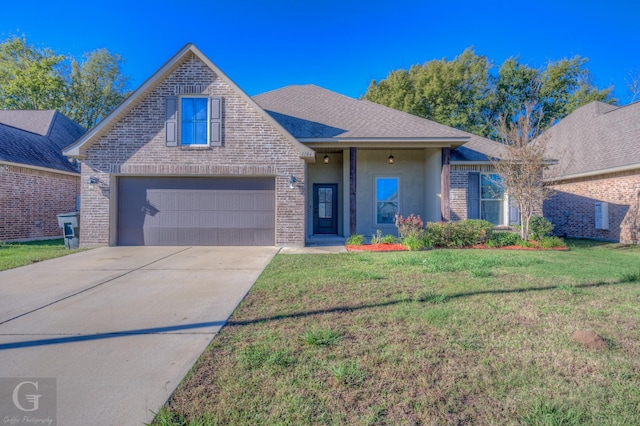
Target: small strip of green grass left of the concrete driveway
13,255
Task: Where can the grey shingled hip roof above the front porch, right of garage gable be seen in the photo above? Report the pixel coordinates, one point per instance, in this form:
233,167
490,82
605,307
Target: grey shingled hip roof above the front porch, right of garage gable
311,113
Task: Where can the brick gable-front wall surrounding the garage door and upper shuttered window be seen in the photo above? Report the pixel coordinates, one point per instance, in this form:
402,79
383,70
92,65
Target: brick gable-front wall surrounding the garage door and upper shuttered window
136,146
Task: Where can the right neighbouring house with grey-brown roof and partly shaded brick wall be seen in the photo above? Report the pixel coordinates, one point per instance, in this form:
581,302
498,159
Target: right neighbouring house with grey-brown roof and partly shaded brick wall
597,179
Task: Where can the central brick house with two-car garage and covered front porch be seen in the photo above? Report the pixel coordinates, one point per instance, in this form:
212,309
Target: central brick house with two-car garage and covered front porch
190,159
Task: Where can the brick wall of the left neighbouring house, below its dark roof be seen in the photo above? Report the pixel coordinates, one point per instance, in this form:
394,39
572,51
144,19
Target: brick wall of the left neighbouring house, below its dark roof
30,201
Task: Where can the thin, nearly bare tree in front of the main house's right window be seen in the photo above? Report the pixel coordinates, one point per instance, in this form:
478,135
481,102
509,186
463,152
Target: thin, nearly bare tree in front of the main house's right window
523,162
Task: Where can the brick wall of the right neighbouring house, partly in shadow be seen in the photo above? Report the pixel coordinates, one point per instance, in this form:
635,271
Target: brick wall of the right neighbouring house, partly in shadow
578,197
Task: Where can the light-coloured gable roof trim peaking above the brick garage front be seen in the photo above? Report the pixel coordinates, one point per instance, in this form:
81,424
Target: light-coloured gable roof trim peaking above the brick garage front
79,148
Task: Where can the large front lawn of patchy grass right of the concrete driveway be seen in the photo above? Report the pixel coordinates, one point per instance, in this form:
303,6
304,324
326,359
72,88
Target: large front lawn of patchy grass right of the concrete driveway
435,337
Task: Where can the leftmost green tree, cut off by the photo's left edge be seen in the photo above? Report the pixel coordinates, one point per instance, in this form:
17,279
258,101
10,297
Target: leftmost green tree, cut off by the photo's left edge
30,78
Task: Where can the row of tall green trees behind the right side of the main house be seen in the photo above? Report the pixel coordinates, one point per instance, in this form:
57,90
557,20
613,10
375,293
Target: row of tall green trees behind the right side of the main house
469,94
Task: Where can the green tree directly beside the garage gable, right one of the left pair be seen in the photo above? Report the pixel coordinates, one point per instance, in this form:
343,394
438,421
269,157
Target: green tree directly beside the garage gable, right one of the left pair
95,87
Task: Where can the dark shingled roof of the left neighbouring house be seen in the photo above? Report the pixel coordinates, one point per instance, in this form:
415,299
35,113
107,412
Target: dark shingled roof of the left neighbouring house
36,138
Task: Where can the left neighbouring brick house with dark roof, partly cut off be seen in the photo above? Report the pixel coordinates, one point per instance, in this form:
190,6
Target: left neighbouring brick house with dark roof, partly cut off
36,181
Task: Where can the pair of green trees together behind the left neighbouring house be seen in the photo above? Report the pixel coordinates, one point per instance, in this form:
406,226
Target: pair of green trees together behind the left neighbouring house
85,90
